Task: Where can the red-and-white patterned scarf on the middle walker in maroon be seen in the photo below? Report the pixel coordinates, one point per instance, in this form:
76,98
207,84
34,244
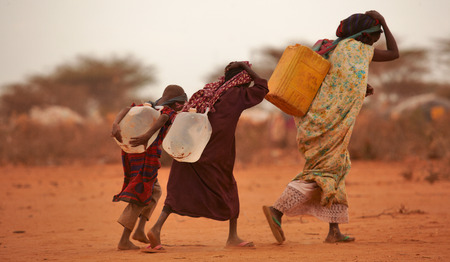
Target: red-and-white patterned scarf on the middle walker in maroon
207,97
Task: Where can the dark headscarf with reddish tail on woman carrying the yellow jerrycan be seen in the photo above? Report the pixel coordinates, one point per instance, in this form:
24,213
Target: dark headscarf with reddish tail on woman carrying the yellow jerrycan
352,27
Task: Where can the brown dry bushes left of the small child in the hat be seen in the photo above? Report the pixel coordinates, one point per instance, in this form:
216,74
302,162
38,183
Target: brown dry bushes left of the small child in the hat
30,143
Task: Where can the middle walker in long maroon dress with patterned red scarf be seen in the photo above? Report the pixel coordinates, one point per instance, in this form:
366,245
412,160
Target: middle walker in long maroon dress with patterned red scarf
207,188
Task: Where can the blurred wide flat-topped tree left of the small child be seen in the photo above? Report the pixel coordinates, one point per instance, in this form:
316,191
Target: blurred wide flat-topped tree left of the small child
86,85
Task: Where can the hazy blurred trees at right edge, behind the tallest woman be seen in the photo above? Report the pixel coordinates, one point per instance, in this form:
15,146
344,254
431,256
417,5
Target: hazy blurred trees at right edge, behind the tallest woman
418,71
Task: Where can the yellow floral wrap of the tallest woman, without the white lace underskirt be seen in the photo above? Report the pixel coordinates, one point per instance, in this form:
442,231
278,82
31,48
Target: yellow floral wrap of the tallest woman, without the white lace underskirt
323,134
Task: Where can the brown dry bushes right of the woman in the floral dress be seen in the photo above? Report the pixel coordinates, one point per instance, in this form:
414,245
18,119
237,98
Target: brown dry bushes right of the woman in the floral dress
413,134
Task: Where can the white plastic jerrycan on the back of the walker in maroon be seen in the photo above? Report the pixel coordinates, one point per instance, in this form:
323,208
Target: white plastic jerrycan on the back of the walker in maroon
188,136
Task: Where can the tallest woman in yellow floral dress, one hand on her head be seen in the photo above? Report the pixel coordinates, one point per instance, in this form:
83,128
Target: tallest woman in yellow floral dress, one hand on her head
324,132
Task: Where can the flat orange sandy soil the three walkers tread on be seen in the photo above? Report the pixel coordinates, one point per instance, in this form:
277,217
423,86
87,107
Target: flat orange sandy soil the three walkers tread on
66,214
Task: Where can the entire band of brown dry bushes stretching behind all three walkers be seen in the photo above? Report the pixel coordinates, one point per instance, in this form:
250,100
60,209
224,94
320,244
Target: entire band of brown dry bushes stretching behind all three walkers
374,138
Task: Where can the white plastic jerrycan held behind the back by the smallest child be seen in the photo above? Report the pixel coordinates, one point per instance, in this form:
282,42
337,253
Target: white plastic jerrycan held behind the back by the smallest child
135,123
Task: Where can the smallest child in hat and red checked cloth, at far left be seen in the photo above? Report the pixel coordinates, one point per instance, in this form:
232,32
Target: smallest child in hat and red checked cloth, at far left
141,188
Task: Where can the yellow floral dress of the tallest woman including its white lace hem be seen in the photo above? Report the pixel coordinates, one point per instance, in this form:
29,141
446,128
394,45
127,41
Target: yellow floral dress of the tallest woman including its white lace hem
323,135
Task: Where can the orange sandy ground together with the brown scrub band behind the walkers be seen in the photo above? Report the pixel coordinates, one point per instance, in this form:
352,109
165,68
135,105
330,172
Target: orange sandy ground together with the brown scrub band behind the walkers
57,184
